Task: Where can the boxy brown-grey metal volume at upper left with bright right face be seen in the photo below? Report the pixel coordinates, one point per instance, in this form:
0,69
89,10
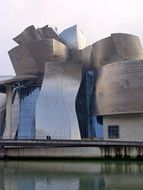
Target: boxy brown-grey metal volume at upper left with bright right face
30,58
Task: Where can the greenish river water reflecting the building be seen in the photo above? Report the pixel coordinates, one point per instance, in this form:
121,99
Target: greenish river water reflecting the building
64,175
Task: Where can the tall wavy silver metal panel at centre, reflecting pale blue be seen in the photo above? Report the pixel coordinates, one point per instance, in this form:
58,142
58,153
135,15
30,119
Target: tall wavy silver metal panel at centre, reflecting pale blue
55,111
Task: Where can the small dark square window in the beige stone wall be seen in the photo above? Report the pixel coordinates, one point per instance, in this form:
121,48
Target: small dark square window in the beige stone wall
113,131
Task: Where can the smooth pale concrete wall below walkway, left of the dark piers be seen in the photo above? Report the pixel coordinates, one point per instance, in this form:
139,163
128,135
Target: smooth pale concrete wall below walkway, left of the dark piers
56,152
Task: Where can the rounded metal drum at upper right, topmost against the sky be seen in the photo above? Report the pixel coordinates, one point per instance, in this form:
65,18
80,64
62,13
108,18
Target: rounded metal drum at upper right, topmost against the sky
117,47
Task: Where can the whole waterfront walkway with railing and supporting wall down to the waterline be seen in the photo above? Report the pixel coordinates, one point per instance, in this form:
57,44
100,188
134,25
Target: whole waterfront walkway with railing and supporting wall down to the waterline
73,149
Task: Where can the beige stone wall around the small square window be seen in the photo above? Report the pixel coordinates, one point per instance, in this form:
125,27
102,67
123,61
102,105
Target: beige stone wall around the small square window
130,126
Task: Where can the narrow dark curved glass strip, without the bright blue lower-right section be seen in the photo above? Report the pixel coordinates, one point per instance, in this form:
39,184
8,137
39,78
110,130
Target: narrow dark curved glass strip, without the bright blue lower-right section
83,107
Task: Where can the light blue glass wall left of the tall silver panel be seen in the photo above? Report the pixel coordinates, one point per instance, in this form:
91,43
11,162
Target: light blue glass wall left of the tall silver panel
28,98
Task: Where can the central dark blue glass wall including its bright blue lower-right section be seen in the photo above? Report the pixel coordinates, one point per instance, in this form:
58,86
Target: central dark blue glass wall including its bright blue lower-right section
90,126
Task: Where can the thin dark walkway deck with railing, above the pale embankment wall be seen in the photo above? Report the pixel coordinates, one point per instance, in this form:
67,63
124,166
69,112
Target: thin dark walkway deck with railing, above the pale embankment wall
69,143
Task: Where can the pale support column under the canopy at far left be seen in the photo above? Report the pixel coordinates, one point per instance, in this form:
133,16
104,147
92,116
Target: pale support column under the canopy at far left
8,128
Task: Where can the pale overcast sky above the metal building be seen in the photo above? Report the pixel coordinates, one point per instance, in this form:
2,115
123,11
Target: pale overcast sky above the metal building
96,18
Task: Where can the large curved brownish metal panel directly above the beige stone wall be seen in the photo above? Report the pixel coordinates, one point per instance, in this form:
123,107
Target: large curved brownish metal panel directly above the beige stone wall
119,88
